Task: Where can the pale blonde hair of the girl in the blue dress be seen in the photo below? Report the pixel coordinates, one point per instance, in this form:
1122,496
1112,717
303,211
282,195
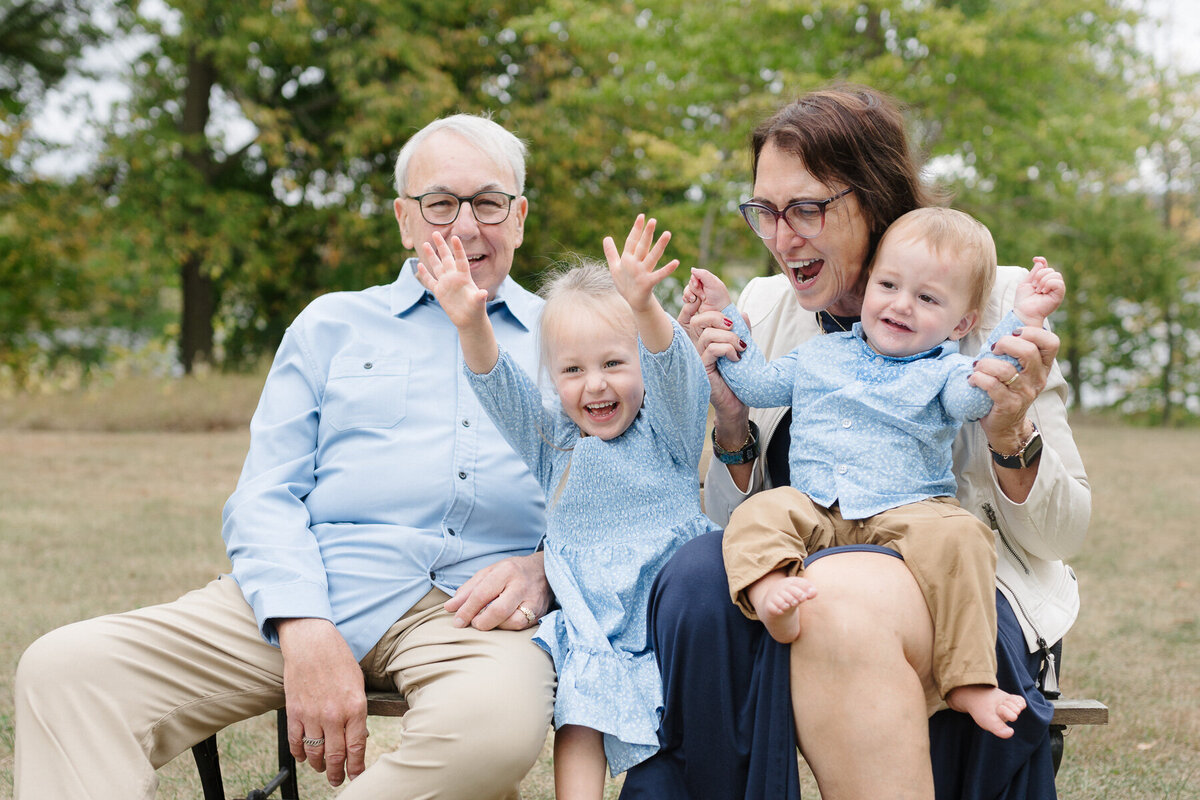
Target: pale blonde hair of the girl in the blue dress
575,285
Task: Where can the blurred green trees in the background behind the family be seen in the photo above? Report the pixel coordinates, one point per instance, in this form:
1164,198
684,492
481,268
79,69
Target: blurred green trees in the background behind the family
248,167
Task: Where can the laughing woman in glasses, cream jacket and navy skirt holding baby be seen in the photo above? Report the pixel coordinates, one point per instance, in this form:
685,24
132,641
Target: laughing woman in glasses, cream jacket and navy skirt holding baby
831,172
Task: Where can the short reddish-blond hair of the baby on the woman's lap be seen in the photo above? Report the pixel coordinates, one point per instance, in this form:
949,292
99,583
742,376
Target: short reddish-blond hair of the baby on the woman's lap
949,232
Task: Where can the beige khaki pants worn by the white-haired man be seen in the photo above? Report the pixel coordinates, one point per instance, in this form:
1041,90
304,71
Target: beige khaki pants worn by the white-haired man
103,703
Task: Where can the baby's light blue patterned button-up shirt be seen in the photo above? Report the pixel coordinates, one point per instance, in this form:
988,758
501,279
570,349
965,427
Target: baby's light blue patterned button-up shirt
869,432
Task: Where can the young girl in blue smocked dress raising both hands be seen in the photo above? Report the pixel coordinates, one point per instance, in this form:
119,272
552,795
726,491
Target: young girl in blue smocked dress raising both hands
620,465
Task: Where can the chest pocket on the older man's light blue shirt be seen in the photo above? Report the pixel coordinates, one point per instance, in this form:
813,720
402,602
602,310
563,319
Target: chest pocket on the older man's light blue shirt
367,393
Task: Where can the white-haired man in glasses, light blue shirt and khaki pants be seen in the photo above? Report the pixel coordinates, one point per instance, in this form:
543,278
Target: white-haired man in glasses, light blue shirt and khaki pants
375,489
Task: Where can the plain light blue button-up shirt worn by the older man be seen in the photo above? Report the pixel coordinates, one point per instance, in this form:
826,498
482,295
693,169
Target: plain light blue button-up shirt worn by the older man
374,474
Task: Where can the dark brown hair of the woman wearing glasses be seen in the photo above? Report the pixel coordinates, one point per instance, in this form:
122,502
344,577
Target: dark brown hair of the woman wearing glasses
853,136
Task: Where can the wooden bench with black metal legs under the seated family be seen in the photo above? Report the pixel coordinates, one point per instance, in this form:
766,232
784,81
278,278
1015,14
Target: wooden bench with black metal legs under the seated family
1067,712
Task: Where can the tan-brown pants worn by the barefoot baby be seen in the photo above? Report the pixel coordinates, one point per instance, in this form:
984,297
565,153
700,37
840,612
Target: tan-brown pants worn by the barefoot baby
950,552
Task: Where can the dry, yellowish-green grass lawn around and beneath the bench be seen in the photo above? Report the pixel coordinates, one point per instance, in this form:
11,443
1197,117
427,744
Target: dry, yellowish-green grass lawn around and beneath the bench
95,522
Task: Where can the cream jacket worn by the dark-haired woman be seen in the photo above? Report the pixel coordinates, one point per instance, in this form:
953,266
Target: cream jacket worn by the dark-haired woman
1033,538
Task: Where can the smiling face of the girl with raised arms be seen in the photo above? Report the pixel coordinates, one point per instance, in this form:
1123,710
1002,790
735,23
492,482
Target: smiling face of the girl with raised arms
598,374
